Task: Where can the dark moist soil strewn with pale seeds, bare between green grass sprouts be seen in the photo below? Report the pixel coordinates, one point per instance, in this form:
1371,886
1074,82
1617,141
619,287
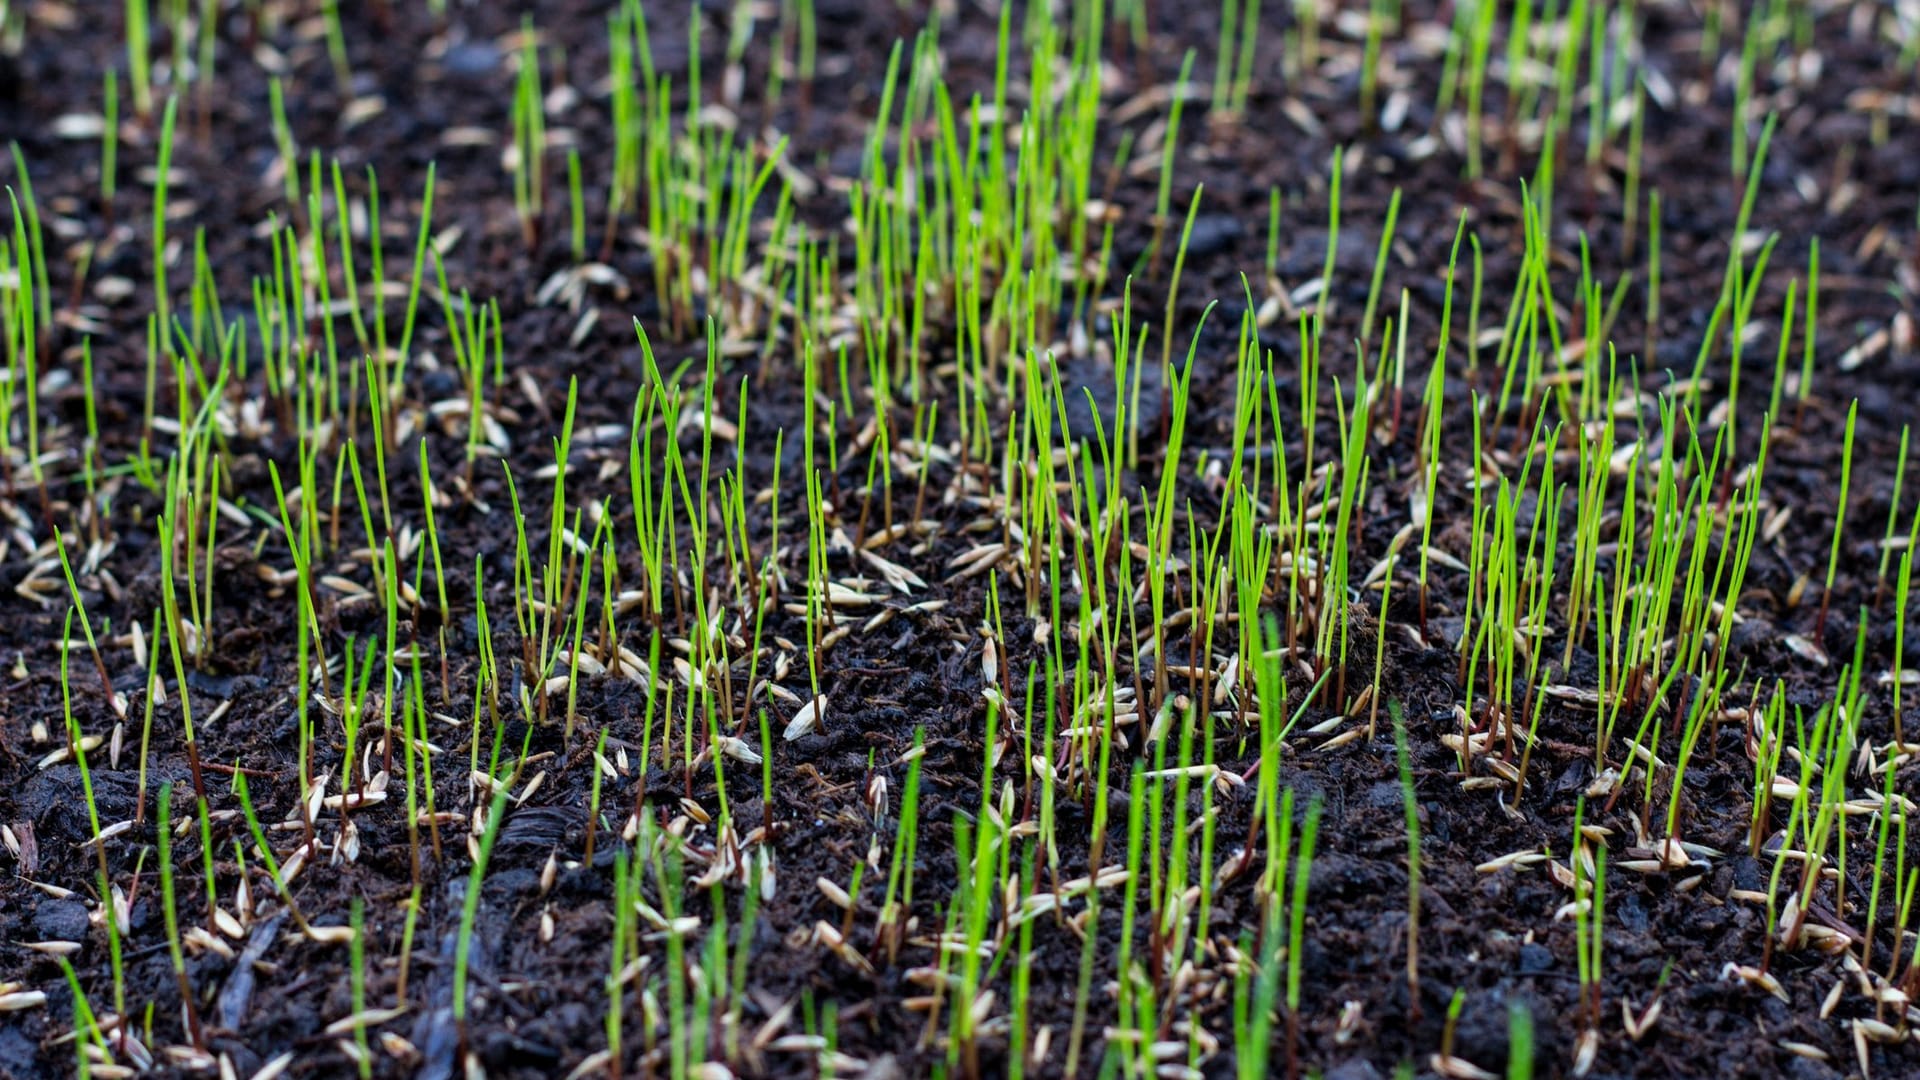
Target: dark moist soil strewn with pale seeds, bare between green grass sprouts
540,998
